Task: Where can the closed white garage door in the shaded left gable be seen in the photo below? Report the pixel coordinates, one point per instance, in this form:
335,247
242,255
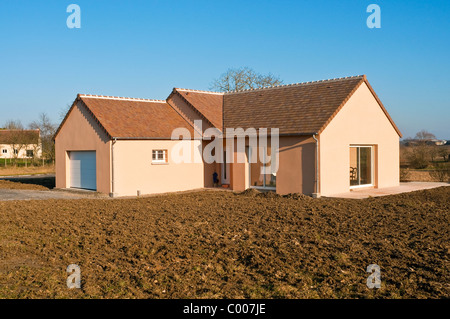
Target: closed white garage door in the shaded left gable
83,170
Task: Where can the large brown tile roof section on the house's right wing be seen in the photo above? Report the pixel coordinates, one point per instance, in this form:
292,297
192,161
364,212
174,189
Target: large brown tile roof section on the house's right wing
301,108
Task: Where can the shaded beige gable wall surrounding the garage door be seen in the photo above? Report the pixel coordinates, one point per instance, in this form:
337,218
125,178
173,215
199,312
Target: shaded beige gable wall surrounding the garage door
81,132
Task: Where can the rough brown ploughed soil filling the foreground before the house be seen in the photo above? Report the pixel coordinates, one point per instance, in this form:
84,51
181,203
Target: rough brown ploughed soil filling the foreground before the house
227,245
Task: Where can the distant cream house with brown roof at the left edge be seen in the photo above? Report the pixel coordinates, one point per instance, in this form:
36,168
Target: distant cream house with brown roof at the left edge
20,144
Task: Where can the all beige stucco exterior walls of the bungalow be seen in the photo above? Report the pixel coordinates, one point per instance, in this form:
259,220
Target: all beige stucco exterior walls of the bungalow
360,122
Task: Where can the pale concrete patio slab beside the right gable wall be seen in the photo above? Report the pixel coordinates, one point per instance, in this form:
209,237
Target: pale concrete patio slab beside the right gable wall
375,192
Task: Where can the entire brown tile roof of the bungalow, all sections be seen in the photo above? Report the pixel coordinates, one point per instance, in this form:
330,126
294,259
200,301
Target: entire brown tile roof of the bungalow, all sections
301,108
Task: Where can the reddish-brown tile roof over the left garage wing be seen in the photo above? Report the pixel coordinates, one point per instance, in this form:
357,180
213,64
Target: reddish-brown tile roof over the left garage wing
133,118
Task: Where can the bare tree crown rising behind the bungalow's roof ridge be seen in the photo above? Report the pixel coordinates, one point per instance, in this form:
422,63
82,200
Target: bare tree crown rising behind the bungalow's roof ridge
242,79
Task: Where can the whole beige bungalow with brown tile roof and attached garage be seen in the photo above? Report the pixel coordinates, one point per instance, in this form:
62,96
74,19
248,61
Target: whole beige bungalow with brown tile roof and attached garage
332,136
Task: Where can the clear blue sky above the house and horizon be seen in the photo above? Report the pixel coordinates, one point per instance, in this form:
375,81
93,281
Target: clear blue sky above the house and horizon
145,48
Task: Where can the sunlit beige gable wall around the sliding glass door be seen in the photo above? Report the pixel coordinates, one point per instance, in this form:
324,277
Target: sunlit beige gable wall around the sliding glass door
361,121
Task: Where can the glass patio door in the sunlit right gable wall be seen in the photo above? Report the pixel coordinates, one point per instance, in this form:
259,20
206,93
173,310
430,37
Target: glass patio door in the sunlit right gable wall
361,166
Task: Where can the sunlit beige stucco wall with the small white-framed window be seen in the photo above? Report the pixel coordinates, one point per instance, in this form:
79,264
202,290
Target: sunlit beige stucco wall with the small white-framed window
134,170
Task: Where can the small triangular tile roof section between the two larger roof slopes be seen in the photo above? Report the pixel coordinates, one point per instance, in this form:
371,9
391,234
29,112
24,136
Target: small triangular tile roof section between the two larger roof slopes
208,104
